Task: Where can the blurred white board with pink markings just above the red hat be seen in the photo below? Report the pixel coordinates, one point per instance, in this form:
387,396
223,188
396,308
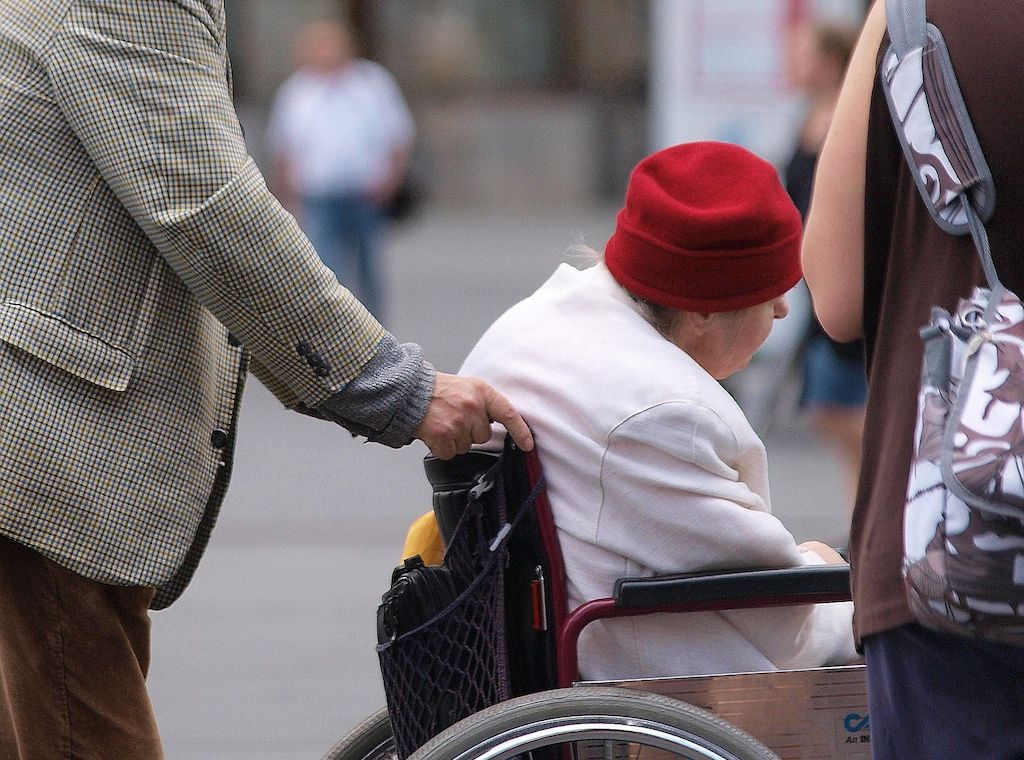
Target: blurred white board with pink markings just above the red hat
719,70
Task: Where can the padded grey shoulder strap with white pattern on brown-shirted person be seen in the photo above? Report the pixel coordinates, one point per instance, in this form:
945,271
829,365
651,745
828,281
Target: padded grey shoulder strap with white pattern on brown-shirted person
932,122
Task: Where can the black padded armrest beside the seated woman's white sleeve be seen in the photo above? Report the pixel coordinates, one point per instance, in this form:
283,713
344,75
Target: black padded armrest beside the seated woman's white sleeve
807,582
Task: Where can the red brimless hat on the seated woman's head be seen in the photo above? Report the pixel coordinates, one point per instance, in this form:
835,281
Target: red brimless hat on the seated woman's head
707,228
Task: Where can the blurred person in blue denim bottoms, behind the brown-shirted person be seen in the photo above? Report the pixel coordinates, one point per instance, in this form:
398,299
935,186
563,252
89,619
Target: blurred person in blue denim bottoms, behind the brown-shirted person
835,390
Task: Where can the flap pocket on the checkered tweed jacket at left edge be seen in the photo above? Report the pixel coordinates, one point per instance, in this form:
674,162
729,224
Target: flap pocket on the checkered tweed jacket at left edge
51,339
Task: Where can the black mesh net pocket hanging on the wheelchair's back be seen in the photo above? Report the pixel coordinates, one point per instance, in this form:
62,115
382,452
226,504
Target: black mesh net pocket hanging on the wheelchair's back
455,664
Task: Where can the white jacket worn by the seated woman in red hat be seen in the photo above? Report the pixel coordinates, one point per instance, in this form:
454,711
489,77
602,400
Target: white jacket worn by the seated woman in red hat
652,470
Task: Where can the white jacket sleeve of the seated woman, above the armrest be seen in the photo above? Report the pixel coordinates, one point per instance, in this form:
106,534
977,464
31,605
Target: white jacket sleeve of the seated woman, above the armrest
675,500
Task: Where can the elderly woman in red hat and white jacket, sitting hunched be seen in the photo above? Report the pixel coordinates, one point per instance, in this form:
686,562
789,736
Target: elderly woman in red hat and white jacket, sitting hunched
652,467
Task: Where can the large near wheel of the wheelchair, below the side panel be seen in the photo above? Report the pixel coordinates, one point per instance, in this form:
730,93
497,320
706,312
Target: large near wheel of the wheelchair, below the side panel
593,723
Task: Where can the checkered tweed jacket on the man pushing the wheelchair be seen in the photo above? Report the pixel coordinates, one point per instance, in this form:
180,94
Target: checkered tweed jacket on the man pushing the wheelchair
145,269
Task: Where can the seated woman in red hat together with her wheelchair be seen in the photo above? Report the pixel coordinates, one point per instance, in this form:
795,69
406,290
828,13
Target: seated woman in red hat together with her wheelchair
645,467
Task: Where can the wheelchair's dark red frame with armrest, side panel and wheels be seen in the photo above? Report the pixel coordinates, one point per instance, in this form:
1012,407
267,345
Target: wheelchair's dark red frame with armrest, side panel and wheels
798,715
